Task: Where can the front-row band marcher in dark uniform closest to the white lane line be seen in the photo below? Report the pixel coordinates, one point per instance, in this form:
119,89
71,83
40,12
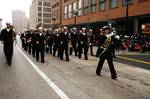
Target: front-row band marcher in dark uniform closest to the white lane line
40,45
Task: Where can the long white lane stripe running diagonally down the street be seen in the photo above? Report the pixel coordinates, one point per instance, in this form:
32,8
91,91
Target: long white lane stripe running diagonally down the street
49,81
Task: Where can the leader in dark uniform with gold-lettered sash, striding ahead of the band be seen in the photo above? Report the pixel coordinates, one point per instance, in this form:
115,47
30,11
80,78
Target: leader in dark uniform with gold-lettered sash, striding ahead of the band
106,51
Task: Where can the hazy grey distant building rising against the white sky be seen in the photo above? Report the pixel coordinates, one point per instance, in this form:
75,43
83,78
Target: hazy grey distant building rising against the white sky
19,20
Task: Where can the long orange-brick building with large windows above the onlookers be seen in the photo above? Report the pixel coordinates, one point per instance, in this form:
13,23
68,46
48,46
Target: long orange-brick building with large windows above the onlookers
96,13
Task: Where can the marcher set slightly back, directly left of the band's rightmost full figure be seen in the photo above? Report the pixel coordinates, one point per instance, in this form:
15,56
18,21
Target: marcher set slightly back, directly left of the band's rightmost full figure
74,41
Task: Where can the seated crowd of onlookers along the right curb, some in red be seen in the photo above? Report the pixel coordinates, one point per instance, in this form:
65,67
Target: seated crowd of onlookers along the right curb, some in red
134,43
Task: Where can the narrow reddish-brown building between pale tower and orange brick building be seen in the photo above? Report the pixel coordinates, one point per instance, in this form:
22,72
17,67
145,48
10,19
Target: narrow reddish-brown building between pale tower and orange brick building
56,13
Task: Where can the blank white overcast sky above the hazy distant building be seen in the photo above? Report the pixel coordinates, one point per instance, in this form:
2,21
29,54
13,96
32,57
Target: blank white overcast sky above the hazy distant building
6,7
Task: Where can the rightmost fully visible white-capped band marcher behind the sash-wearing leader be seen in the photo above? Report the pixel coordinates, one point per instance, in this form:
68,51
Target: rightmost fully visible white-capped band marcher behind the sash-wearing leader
83,43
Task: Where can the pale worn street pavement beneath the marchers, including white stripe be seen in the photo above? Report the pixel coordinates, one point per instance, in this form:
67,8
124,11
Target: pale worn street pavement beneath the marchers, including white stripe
57,79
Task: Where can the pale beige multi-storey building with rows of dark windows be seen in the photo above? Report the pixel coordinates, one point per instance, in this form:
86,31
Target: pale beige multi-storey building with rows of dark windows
40,14
